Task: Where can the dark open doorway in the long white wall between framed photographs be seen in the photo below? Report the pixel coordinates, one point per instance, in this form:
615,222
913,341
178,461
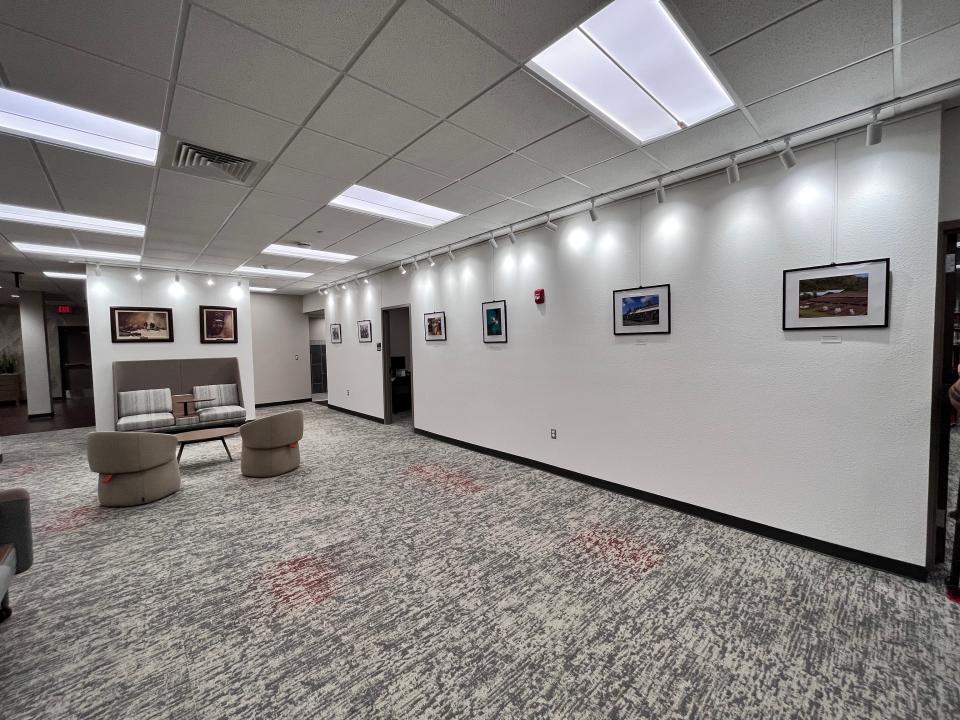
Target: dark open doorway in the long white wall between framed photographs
397,366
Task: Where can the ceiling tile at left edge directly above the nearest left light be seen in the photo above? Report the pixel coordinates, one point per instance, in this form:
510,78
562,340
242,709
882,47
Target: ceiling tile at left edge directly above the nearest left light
55,72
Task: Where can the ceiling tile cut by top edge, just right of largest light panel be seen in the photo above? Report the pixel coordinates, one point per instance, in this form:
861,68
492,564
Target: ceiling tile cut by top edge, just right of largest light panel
718,26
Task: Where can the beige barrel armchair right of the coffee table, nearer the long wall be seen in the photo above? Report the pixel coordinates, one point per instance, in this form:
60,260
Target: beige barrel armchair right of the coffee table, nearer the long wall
271,444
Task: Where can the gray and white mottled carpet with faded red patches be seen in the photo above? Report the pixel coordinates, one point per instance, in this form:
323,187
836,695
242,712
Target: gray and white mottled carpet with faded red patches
393,576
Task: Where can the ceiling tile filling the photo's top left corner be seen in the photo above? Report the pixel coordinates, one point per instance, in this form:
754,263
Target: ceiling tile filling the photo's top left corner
138,33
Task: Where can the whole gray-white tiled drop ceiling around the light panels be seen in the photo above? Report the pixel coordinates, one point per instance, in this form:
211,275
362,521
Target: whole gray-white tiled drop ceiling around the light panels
428,99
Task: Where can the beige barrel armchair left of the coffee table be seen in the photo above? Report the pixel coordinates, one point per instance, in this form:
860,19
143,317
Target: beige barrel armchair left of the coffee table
135,467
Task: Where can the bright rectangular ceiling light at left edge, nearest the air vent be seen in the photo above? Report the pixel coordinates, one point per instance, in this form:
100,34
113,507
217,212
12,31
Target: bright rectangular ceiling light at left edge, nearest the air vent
50,122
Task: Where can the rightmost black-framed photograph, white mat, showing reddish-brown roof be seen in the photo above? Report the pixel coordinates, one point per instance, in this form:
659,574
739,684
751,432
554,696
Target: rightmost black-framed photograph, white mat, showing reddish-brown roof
849,295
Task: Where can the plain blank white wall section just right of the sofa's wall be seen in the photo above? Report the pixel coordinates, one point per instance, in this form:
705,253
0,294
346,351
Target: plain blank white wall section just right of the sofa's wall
281,348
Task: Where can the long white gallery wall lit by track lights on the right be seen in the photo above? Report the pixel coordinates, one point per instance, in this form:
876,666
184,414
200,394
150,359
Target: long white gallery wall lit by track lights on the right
728,412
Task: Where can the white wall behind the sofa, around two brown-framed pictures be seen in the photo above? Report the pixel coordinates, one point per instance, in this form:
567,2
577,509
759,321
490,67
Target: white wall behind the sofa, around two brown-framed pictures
117,287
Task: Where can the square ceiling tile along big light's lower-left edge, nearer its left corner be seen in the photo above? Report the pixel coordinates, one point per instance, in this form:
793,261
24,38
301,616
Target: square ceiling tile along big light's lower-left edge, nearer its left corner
517,112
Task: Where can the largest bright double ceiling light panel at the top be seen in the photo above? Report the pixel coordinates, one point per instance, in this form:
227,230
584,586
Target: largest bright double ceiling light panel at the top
632,65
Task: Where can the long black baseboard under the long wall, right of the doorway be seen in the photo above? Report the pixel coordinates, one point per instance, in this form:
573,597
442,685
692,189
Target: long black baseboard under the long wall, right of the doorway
897,567
